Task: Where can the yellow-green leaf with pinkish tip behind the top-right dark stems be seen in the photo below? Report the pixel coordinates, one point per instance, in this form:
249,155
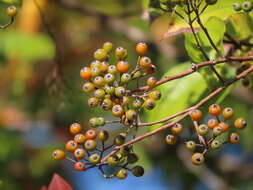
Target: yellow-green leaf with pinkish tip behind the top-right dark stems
222,9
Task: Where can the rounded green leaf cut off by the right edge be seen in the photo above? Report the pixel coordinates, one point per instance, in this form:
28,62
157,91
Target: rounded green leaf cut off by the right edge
240,26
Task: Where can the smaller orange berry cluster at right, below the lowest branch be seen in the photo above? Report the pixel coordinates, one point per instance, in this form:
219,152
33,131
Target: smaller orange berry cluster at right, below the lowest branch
207,133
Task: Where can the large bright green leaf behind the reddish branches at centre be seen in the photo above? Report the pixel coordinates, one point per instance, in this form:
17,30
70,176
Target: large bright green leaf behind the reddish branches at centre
178,94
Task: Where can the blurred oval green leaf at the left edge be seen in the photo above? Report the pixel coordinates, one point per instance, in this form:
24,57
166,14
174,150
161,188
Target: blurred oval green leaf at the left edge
27,47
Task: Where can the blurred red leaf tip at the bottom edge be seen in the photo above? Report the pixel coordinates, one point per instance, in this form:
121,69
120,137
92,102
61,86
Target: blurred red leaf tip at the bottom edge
59,183
